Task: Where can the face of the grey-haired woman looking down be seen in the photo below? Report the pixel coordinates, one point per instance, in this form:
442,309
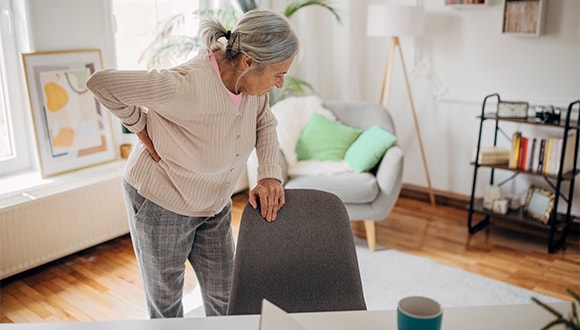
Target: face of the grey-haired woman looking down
261,81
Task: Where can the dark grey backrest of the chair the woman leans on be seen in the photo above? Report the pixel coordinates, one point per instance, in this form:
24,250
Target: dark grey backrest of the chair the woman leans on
305,261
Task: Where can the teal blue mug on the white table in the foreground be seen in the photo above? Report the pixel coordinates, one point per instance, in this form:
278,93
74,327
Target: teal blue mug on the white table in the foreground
419,313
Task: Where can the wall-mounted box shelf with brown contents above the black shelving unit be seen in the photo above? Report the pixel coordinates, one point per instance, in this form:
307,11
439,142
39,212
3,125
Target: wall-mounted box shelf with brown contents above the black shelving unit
523,17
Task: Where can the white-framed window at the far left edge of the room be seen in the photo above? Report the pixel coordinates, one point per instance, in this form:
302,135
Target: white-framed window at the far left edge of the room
14,126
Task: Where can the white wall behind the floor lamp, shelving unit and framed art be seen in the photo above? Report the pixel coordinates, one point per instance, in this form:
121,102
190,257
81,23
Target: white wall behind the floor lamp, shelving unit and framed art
463,56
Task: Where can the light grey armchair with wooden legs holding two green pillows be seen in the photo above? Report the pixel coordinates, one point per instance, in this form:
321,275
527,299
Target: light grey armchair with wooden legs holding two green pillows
368,196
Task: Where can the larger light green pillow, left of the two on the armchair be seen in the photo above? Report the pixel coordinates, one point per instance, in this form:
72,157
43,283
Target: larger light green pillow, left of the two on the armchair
324,139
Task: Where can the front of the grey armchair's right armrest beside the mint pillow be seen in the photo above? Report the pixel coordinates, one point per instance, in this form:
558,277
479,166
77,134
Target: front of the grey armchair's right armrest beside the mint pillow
390,171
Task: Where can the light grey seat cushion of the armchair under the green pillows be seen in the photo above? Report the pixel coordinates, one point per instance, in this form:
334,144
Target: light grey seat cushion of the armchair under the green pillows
356,188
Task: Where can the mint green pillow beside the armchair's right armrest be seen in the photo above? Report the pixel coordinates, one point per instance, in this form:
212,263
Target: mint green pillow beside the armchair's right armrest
366,152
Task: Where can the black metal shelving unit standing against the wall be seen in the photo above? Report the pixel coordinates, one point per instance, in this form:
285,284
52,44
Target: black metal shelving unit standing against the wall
559,223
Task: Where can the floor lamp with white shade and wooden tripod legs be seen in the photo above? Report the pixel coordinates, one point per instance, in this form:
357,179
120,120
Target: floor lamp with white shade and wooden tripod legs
398,21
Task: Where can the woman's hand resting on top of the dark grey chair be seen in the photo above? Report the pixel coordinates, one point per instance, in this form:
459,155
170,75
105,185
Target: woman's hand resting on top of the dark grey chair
270,193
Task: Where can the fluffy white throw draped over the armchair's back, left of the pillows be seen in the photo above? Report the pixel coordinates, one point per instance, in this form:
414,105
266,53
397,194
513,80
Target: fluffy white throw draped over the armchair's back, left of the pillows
292,114
